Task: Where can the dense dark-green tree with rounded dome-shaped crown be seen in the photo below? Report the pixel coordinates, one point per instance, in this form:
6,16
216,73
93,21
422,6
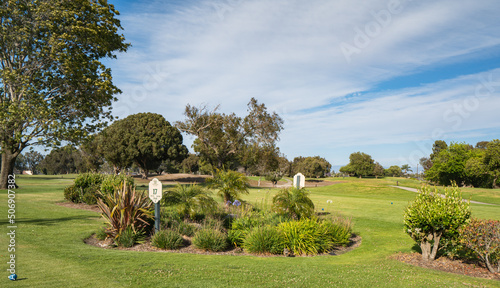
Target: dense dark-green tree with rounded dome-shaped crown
146,139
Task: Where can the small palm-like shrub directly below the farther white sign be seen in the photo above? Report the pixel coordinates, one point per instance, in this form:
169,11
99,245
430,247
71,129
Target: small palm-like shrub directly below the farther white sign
293,202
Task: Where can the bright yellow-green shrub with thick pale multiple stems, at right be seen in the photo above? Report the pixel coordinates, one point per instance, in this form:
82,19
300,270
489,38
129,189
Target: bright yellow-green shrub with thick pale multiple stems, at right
431,217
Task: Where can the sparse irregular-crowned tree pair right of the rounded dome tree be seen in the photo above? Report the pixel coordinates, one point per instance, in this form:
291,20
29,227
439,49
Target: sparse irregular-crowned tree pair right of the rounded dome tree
221,138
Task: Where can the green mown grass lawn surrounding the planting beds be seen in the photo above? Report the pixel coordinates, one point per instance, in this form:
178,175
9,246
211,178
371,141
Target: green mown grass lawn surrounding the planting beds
51,253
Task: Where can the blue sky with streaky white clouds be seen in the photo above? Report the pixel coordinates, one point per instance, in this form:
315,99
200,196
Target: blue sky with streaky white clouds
387,78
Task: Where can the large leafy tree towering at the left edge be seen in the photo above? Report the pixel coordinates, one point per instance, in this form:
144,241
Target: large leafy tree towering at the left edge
53,86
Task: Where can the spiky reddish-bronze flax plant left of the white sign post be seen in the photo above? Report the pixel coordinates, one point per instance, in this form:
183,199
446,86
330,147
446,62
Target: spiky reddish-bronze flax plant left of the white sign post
125,208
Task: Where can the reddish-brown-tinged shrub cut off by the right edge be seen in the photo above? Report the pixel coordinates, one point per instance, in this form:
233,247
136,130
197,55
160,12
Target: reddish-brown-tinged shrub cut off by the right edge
483,237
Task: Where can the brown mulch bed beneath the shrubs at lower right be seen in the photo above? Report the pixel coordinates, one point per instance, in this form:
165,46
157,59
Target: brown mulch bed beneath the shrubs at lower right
448,265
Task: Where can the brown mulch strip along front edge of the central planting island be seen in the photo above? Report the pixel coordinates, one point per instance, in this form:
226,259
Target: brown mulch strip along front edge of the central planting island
355,242
